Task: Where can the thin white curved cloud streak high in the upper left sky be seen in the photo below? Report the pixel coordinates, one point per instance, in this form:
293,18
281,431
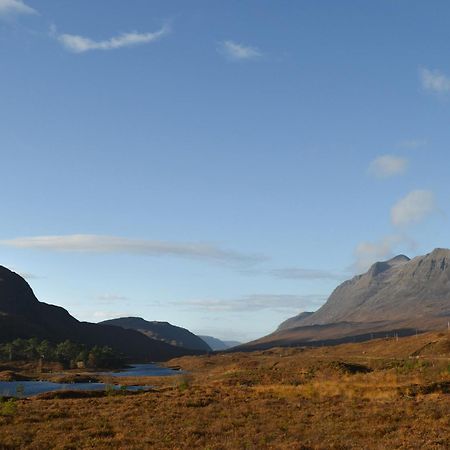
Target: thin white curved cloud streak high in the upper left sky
81,44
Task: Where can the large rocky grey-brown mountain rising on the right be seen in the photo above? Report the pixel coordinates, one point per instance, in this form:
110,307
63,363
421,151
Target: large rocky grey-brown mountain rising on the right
400,296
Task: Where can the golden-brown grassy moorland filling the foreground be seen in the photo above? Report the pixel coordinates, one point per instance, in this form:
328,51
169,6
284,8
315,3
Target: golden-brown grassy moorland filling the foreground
376,395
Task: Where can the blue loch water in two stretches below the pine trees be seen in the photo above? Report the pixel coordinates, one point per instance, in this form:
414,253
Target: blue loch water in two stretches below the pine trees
30,388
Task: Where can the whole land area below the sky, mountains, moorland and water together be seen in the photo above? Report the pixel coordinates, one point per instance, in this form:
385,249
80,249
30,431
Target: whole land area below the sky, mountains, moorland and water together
358,373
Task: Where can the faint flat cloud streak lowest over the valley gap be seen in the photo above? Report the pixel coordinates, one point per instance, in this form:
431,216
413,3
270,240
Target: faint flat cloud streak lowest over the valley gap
256,302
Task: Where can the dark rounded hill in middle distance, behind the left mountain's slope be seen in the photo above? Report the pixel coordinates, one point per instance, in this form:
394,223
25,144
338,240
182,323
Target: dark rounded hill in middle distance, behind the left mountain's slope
162,331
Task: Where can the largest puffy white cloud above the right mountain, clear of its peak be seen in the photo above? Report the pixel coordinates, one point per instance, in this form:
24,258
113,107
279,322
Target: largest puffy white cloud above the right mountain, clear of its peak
414,207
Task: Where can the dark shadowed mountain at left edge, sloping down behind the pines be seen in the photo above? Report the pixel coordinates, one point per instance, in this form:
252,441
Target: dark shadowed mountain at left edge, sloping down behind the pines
22,315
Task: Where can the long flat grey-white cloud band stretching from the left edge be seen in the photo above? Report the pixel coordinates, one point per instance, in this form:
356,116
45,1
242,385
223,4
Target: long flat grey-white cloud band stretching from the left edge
114,244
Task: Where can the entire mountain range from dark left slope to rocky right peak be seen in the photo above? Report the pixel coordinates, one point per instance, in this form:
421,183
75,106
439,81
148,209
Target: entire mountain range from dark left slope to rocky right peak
399,296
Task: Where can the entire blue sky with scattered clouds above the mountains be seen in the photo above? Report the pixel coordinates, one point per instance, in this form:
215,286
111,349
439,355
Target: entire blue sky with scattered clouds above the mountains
219,165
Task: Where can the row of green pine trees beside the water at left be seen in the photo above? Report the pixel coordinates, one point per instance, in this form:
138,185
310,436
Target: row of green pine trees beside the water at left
70,354
